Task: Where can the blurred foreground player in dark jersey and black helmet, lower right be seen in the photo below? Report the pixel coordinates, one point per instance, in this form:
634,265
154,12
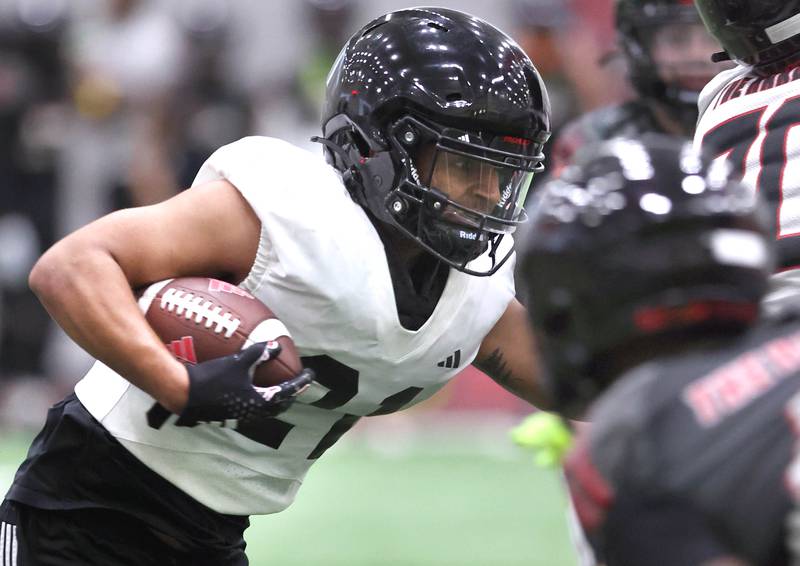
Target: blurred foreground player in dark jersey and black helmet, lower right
646,267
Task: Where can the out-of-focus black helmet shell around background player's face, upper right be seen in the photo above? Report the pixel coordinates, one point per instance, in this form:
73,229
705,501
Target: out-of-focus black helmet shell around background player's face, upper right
636,22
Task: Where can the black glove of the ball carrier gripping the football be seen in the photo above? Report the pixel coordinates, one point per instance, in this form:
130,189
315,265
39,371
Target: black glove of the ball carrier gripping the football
222,391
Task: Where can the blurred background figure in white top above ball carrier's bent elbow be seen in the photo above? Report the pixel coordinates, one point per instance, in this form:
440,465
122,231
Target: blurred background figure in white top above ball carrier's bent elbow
124,62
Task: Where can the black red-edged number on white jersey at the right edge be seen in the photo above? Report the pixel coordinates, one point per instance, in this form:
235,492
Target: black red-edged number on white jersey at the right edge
738,137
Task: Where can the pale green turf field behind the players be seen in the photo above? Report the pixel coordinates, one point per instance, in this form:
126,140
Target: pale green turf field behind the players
422,506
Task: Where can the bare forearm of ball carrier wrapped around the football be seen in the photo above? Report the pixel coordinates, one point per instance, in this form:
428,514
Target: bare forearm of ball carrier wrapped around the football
87,294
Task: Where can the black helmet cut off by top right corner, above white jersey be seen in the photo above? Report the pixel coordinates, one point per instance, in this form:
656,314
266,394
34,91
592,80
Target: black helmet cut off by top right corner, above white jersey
762,33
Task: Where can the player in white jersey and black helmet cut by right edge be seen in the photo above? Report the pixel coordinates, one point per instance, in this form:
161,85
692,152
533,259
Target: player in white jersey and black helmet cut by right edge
748,115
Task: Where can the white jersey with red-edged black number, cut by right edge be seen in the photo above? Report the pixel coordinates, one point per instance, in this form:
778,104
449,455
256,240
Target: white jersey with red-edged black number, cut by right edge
750,121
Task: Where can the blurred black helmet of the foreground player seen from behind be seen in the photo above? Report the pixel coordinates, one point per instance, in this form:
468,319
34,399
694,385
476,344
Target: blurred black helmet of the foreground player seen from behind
637,242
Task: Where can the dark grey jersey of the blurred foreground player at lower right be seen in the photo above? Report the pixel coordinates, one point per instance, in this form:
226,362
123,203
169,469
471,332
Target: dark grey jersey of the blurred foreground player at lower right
691,457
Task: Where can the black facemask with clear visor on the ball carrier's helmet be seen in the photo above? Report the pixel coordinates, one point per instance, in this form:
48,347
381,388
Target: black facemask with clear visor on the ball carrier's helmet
459,193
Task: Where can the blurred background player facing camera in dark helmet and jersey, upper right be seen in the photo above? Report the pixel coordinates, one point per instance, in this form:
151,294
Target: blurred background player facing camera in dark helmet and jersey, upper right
667,50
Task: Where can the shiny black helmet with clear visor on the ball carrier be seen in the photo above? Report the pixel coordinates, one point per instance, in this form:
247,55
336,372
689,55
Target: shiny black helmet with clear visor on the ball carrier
436,120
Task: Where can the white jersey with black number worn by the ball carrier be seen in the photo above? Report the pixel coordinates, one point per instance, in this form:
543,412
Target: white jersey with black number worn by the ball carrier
321,267
